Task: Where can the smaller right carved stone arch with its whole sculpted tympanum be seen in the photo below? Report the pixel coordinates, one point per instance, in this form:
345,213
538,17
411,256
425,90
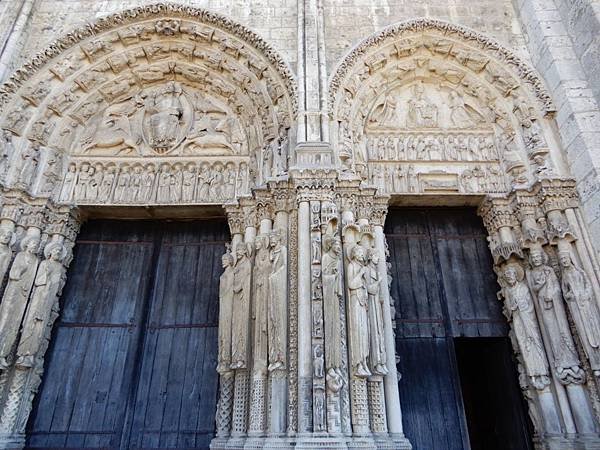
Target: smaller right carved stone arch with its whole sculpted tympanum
425,106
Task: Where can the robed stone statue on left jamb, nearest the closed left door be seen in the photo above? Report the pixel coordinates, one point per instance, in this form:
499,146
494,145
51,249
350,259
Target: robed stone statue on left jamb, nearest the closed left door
43,301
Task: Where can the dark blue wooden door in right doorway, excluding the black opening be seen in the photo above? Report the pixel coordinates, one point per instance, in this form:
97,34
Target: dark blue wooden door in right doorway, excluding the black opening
443,287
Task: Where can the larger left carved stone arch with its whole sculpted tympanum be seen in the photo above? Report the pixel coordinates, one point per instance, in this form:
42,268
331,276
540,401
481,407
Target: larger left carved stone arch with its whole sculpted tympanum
158,104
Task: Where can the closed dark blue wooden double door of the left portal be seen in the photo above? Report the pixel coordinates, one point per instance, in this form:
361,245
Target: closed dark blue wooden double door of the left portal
133,356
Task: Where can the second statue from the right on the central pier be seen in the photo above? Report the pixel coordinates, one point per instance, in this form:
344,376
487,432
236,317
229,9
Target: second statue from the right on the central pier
358,300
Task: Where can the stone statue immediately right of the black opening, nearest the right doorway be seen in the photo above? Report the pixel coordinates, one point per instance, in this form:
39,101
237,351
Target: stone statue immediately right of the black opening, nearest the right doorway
519,309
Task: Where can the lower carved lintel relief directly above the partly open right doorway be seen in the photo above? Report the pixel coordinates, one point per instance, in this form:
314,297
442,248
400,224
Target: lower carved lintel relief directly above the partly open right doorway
410,178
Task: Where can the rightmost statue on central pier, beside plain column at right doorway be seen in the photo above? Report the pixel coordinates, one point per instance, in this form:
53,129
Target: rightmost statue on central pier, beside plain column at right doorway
377,353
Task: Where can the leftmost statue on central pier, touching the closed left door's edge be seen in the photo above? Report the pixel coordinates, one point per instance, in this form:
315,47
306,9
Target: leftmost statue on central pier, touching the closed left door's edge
225,312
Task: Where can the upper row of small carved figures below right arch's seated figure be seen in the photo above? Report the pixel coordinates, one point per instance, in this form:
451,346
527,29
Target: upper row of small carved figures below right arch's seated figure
432,147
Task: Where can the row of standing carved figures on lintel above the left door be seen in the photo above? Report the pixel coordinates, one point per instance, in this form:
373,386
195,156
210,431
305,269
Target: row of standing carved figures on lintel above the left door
172,182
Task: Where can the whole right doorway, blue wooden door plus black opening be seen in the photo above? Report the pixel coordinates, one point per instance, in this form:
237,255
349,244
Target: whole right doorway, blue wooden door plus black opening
451,335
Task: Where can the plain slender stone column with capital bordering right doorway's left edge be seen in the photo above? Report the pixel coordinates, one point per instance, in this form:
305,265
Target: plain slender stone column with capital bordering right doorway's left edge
392,394
